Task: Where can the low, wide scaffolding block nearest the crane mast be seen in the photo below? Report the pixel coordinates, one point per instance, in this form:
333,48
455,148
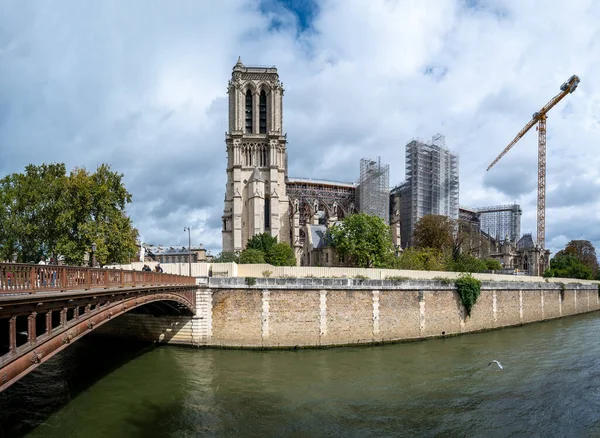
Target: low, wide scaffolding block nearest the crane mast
501,221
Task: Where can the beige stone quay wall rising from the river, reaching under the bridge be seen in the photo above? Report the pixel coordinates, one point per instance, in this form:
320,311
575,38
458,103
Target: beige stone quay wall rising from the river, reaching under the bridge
276,313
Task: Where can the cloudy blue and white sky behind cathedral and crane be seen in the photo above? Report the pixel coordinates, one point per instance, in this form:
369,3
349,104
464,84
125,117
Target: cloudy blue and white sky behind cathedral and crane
141,85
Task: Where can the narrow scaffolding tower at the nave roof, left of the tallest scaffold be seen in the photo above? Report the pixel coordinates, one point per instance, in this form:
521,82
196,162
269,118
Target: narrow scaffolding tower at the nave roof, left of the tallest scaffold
374,188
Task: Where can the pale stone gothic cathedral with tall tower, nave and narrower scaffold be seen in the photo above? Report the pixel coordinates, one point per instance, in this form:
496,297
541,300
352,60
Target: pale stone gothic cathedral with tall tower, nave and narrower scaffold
260,197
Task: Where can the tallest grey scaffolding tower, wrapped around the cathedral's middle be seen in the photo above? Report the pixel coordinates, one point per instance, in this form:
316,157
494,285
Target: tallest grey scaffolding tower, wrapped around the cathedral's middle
431,185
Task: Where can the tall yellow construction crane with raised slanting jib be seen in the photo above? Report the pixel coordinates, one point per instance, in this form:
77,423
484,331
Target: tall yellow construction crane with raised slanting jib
540,118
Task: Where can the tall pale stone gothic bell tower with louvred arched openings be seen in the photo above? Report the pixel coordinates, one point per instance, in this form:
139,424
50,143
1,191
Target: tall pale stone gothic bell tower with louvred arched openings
255,195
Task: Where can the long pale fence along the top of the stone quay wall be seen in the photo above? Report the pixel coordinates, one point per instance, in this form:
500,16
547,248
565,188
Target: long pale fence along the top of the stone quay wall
264,270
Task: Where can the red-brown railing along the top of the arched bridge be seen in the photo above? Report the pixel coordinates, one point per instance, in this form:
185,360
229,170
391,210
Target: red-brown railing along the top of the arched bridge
28,278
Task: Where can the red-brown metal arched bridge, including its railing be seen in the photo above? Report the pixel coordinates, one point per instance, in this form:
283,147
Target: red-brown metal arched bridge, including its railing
45,308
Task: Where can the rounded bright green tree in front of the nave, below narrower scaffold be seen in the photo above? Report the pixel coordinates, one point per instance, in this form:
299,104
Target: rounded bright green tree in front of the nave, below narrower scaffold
365,239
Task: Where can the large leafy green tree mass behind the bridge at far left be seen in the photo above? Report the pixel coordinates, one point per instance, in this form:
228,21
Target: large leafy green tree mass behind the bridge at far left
46,213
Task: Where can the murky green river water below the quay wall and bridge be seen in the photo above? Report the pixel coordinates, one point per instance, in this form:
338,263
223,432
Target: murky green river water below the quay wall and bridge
550,386
